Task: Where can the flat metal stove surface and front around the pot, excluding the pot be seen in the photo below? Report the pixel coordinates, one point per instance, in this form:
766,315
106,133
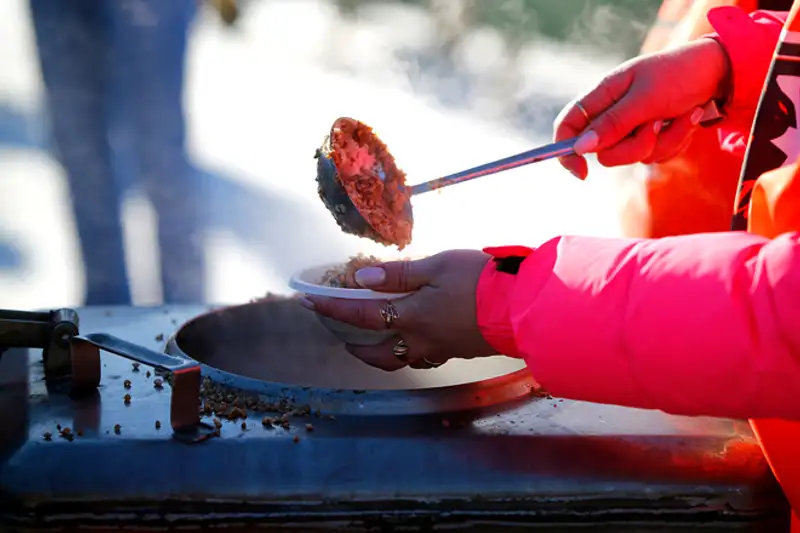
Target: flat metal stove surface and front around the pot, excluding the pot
555,465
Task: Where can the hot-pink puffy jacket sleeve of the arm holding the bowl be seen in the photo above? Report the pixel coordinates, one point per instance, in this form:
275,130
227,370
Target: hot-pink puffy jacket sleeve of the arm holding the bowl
698,325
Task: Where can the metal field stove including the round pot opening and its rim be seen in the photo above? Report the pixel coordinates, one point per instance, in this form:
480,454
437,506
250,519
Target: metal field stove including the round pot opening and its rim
355,458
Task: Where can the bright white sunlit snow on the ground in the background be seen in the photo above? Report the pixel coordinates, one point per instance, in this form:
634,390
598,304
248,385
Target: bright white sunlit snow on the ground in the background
259,100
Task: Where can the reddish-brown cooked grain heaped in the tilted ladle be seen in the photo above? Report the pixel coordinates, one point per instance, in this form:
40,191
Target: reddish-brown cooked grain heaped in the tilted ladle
368,173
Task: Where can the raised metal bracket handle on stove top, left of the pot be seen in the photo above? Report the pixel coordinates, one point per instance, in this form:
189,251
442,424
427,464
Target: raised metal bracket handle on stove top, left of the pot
185,378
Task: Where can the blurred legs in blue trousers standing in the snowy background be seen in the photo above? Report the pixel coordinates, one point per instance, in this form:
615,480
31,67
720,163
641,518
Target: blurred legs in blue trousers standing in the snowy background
100,58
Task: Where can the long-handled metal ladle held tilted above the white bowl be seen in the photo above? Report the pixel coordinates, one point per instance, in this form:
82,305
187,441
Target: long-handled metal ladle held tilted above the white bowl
351,221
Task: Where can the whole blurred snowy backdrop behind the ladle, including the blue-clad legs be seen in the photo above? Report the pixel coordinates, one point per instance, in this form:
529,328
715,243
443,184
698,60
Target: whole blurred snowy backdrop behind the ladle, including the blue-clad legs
127,178
